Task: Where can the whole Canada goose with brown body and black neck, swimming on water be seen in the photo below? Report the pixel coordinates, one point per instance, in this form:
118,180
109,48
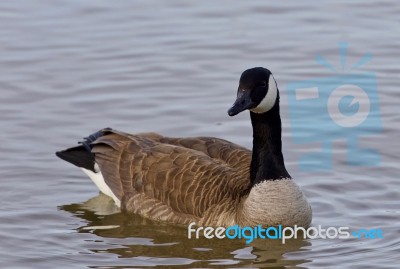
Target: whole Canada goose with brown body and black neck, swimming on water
205,180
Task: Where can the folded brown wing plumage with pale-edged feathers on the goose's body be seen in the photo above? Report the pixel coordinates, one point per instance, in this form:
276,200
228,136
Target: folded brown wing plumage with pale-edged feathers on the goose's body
170,181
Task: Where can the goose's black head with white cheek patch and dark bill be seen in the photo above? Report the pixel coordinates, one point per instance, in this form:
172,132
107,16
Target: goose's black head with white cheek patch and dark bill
257,91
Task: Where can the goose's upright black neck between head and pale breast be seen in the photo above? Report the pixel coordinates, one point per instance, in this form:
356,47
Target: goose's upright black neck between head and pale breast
267,161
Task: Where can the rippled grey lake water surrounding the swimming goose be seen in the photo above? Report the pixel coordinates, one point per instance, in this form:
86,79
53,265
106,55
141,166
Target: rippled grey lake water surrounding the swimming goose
69,68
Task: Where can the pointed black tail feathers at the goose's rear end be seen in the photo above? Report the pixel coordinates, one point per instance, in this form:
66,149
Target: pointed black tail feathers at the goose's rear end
82,155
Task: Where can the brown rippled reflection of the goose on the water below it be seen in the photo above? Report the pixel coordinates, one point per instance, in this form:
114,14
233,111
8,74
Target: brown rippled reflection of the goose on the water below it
145,242
